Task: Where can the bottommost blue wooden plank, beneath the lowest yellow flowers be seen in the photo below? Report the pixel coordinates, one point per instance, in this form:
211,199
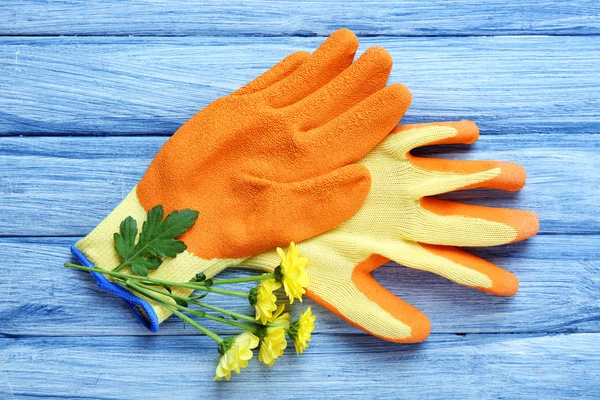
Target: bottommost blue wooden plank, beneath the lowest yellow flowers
446,367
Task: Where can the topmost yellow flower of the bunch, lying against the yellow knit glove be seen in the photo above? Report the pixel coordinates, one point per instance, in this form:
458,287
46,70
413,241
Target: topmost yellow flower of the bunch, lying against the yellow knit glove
293,273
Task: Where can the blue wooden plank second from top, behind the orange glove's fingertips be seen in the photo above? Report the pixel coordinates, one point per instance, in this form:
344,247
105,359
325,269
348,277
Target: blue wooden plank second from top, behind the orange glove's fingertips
152,85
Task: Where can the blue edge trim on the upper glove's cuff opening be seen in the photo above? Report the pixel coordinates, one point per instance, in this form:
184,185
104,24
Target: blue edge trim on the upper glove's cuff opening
147,316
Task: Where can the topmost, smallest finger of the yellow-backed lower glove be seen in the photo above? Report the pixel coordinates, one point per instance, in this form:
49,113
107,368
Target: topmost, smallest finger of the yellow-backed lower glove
404,138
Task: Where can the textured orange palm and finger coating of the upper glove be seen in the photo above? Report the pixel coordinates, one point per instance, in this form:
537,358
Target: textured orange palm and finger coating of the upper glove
274,162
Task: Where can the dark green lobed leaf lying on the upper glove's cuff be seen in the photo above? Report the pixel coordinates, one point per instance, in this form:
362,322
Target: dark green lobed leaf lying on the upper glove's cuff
156,241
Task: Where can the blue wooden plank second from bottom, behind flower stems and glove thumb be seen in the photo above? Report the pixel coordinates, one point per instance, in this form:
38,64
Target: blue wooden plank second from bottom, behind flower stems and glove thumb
559,289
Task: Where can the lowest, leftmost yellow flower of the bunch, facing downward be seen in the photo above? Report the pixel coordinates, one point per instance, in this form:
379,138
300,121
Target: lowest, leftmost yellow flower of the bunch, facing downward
235,353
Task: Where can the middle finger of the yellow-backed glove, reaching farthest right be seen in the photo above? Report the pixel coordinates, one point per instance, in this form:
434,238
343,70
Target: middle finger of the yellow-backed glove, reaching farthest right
455,224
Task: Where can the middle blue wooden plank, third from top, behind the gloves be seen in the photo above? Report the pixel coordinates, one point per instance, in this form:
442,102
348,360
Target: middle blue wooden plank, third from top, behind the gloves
59,186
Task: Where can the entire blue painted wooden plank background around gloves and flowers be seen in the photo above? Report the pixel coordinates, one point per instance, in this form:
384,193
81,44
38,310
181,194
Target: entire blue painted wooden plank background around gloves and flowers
90,90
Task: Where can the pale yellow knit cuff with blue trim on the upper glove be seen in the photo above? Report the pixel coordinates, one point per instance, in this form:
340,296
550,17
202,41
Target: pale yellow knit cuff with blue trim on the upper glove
97,250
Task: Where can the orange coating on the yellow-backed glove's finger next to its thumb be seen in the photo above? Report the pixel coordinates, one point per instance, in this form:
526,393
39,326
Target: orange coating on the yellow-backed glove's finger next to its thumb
504,282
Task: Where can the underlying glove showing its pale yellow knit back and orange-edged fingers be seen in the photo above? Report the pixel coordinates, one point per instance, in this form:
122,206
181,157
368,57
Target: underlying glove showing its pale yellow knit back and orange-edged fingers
399,221
